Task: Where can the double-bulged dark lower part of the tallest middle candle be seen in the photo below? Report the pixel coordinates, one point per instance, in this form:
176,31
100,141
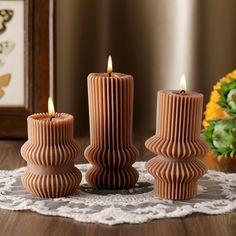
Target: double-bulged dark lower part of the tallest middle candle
112,169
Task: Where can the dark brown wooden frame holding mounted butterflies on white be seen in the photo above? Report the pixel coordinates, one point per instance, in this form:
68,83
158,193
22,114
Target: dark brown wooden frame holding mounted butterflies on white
26,62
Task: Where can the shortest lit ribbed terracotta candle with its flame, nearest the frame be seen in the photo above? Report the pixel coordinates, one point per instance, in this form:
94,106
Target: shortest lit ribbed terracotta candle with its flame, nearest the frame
50,152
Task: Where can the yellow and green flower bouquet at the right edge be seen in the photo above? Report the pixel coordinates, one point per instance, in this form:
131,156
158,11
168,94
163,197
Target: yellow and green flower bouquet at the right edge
220,124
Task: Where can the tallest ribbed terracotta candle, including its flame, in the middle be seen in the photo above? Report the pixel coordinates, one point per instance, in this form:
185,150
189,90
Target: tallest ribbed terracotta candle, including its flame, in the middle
111,151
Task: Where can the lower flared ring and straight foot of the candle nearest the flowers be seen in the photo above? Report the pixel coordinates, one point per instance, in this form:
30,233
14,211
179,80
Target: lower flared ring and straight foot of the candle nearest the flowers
175,179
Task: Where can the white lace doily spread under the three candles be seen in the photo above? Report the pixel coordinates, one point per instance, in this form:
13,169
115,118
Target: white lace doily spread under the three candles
216,195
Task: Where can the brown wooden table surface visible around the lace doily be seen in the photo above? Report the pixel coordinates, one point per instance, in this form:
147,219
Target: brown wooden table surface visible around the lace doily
24,223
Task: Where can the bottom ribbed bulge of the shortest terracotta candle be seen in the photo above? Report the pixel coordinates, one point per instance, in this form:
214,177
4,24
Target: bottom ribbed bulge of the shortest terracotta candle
51,185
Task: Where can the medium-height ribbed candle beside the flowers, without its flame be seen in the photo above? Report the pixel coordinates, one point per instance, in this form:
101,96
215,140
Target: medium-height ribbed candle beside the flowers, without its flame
178,143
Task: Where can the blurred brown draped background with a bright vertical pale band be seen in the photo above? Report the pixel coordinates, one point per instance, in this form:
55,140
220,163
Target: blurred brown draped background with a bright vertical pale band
154,40
